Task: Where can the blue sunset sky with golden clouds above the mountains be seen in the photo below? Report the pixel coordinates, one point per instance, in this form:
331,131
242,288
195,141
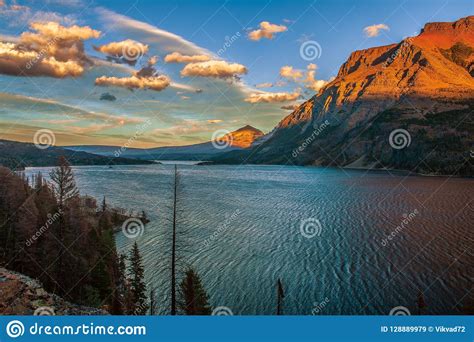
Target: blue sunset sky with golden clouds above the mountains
166,73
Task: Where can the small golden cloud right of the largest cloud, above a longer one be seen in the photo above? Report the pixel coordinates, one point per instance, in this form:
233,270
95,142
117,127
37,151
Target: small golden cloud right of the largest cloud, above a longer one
127,51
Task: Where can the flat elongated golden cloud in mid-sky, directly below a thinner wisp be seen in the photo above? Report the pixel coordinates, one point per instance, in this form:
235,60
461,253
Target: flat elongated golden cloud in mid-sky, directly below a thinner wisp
217,69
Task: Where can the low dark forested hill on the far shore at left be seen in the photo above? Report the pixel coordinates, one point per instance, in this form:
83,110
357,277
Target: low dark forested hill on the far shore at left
17,155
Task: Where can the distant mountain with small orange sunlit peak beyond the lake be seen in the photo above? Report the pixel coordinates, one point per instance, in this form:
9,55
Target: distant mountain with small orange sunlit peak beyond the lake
239,139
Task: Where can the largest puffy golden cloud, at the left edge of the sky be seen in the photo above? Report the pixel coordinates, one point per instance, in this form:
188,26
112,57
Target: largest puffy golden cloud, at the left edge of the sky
53,50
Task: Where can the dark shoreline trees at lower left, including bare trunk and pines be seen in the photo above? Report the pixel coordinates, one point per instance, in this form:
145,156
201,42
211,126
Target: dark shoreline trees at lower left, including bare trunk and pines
50,232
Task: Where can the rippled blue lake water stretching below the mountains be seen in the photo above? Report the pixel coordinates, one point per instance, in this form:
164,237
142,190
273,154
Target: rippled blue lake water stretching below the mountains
341,241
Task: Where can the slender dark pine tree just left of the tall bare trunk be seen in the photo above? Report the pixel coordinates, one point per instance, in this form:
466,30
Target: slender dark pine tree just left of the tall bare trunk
137,284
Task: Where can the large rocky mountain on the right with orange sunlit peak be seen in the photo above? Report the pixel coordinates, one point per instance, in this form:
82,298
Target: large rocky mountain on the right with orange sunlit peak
402,106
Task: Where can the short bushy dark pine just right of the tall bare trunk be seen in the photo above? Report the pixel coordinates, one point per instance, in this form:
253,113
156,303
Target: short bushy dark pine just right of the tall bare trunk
194,298
